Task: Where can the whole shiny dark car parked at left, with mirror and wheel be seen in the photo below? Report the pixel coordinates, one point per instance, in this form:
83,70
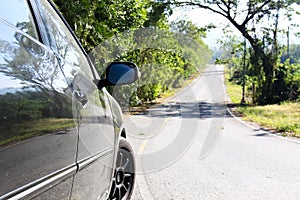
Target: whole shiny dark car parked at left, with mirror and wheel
61,133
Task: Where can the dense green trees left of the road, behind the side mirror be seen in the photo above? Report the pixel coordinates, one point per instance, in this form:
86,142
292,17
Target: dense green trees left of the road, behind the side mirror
138,31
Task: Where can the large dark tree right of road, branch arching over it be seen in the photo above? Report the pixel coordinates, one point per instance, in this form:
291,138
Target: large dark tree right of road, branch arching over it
257,21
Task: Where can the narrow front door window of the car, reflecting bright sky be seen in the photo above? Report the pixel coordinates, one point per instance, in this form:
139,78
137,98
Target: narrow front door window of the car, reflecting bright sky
66,45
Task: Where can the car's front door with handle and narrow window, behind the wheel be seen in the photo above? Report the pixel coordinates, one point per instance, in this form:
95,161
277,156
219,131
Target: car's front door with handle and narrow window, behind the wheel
96,143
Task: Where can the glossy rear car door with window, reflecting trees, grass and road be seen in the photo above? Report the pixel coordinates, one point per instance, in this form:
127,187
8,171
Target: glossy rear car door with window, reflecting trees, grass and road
38,135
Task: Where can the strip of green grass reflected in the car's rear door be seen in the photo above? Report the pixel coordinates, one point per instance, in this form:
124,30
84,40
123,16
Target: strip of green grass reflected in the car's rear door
28,129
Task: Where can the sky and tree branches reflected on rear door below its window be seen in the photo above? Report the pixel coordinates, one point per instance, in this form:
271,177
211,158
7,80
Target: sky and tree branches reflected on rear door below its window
27,66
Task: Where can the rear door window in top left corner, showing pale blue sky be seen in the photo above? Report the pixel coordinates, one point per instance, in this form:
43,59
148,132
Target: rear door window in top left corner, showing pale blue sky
20,18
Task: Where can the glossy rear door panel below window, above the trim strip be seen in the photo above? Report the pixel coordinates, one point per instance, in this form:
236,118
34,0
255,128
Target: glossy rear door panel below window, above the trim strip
35,109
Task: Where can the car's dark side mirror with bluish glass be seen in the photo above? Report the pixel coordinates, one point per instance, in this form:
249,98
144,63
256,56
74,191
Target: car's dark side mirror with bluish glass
119,73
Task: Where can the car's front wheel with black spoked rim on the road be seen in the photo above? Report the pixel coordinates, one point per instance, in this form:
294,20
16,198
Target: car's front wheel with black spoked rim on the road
124,175
